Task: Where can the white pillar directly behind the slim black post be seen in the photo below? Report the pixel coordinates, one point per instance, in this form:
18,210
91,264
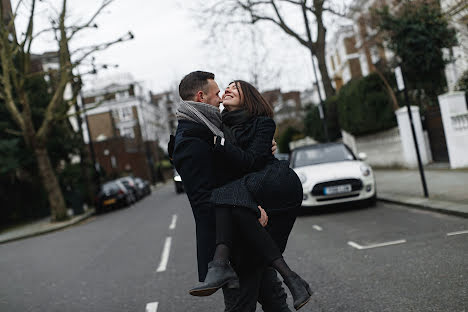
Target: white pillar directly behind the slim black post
407,140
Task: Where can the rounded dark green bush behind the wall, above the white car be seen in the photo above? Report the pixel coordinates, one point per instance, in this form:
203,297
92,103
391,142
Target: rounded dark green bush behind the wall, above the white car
365,107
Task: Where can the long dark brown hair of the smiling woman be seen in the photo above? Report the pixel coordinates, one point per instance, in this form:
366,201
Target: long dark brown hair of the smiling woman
252,100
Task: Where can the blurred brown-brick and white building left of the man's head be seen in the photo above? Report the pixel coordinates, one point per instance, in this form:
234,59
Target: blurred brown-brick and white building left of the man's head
123,130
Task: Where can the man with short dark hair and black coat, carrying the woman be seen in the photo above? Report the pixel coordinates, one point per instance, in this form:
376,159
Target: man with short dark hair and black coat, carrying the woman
202,172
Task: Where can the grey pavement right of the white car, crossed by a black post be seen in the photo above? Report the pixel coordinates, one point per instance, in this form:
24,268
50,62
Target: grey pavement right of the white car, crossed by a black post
447,189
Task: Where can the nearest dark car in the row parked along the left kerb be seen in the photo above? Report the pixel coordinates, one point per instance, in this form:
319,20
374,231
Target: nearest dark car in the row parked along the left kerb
112,195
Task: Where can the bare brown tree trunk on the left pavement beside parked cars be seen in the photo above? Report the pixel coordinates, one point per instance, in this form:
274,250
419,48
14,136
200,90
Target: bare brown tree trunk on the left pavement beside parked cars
57,204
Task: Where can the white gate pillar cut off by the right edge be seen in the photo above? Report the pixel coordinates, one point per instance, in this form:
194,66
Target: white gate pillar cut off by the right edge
455,119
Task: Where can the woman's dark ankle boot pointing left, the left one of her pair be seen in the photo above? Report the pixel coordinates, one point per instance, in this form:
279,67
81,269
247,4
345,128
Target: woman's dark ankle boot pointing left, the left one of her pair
220,273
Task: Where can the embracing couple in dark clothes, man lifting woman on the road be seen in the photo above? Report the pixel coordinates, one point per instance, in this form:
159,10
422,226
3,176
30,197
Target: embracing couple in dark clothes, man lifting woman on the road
243,199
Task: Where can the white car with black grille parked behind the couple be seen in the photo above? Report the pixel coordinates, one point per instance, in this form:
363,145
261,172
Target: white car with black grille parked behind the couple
330,174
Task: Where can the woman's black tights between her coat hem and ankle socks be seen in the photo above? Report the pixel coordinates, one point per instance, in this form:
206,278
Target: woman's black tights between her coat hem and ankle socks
249,229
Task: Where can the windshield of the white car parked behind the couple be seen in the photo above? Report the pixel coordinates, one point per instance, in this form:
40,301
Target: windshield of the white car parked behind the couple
321,154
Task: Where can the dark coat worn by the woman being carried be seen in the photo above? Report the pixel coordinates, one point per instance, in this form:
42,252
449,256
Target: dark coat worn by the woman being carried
263,180
